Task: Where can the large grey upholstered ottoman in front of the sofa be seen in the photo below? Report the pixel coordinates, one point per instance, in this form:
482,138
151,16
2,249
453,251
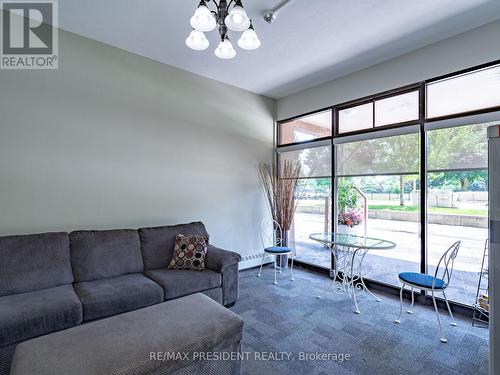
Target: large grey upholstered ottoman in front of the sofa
189,335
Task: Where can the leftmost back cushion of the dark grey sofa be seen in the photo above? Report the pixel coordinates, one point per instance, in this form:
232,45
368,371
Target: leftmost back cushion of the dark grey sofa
33,262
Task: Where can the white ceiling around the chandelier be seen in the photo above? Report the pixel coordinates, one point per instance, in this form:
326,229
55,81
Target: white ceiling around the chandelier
311,42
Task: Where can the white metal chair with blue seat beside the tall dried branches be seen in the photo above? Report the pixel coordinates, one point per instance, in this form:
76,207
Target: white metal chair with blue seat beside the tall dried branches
271,235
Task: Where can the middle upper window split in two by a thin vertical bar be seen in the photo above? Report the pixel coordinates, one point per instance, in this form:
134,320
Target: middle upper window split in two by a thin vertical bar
391,110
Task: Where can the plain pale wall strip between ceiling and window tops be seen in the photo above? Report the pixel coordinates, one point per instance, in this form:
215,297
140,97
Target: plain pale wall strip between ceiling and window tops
469,49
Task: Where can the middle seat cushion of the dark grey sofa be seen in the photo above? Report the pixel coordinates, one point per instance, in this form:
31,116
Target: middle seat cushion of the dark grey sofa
106,297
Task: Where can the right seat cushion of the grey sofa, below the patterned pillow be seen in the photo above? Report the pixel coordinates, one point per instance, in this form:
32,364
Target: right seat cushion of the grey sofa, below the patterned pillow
178,283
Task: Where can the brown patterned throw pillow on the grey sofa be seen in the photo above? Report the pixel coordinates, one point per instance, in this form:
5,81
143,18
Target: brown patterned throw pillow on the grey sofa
189,253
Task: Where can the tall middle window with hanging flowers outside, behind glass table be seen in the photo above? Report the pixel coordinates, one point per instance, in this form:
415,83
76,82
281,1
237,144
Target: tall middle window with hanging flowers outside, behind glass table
378,184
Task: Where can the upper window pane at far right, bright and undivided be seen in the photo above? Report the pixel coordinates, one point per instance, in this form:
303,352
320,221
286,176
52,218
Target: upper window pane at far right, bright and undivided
467,92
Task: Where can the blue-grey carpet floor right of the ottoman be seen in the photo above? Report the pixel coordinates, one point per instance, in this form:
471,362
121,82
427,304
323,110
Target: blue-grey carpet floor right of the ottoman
288,318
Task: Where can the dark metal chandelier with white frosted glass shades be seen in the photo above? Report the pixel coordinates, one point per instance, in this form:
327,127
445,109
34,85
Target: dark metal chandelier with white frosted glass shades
228,16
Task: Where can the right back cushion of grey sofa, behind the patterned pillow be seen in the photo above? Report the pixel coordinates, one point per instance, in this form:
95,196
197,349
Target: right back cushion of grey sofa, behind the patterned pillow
157,243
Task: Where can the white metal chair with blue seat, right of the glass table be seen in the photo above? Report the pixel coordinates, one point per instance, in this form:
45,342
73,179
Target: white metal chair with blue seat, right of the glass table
431,283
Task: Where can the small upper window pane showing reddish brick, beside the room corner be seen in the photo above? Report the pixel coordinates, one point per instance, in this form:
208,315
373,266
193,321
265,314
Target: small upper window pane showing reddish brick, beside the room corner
306,128
